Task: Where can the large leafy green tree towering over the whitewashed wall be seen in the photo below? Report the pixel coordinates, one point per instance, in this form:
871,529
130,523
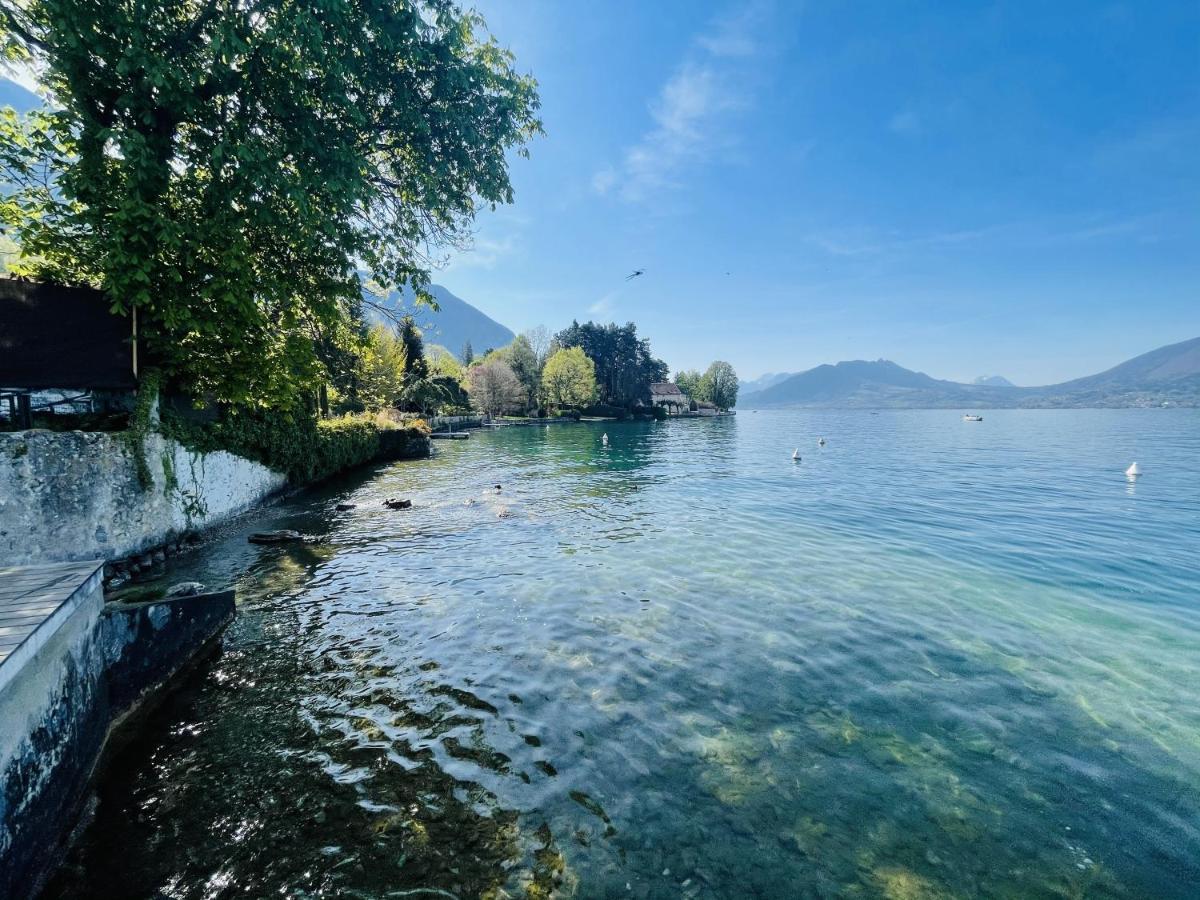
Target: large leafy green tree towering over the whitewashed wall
225,167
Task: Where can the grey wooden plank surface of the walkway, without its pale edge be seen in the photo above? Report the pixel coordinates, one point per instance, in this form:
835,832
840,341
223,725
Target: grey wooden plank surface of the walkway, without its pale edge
31,597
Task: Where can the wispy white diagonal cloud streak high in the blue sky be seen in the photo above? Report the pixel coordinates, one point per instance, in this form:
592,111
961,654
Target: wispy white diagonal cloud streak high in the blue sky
688,112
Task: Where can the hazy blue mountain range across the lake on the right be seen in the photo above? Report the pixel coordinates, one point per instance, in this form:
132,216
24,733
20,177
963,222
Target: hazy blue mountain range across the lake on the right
1167,376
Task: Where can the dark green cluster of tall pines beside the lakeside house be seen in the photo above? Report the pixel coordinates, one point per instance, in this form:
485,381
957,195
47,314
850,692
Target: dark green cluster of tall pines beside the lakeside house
625,367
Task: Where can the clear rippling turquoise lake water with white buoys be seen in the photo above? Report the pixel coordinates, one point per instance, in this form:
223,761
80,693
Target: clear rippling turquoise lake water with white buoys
933,659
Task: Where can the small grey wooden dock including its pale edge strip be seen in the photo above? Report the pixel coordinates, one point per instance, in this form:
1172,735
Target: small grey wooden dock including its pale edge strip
35,602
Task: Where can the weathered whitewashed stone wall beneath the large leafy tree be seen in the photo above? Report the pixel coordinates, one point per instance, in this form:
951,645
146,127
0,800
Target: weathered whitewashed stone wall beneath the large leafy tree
68,496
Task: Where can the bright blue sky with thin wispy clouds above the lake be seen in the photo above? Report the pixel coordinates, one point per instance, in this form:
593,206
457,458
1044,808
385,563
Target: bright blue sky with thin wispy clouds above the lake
965,189
